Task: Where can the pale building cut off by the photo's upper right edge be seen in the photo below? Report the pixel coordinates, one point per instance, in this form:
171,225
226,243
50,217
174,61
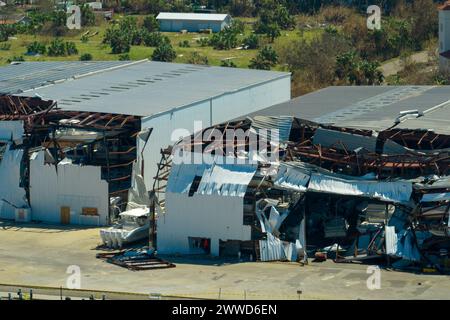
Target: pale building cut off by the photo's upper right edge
444,36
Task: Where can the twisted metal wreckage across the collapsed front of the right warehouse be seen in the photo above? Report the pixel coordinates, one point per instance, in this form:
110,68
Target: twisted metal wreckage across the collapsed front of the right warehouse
332,192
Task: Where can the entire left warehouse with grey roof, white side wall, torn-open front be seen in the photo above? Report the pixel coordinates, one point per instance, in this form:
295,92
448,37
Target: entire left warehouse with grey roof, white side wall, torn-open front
80,140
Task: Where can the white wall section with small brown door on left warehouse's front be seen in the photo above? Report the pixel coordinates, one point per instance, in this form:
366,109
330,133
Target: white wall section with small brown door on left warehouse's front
67,193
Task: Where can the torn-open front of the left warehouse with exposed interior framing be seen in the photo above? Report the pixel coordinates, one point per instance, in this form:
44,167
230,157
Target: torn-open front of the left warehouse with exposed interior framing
45,150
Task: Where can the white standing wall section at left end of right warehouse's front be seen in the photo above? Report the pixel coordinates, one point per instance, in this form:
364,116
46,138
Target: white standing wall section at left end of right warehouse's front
204,202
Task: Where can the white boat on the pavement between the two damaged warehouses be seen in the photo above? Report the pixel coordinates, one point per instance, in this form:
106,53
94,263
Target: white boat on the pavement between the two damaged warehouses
133,226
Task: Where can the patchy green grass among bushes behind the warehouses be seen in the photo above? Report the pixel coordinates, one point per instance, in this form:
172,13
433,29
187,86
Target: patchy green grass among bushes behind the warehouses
100,51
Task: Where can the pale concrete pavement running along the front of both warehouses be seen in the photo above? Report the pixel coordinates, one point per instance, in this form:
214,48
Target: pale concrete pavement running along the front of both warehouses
40,255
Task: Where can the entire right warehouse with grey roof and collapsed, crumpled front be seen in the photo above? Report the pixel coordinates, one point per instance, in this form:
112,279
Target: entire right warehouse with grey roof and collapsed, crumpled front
362,173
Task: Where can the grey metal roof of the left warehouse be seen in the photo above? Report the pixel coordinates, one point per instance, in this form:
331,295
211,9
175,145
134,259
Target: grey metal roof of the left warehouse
140,88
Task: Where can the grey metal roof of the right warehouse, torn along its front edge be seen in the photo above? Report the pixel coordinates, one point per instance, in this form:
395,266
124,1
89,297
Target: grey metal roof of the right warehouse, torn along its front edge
372,107
